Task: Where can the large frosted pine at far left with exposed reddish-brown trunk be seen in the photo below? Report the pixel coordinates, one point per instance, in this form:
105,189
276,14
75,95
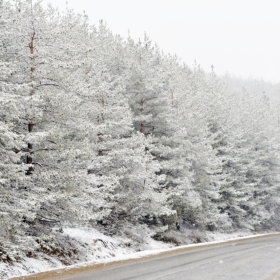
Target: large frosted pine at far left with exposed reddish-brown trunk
43,112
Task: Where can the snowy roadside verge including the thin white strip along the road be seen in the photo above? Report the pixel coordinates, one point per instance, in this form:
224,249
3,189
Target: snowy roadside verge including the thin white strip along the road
101,249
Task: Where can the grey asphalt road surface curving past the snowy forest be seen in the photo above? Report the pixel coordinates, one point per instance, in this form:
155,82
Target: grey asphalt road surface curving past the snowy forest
255,259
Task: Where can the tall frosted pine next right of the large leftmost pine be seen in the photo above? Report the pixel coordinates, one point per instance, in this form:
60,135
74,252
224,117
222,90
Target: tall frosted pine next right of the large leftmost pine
122,173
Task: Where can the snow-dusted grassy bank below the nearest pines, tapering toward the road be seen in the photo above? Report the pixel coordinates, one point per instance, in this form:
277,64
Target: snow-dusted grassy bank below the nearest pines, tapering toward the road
91,246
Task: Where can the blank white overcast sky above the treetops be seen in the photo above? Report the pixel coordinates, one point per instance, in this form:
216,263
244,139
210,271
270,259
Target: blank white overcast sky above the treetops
241,37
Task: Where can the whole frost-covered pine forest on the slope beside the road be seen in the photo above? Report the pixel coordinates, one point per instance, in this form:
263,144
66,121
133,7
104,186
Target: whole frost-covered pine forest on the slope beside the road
107,133
